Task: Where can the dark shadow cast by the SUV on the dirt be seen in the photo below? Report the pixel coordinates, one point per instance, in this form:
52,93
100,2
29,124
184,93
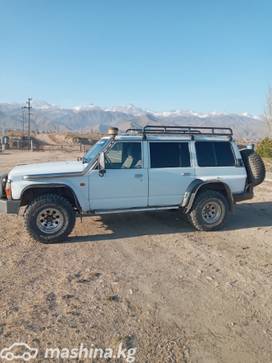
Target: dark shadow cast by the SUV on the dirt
118,226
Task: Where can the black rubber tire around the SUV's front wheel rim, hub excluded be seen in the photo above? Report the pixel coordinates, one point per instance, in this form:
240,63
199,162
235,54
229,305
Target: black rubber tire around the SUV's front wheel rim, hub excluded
50,201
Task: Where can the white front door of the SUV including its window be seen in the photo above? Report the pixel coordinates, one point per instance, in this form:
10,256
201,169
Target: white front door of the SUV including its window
125,182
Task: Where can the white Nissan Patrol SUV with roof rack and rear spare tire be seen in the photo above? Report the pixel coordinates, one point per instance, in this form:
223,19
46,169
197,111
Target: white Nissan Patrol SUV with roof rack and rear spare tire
198,170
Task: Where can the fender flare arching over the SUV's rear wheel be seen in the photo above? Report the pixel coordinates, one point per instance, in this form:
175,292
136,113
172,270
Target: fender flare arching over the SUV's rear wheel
195,187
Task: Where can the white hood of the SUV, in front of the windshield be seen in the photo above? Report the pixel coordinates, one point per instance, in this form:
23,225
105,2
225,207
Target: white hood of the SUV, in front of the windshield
47,168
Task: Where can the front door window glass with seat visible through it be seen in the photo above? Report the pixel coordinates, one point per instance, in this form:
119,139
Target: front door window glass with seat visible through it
124,155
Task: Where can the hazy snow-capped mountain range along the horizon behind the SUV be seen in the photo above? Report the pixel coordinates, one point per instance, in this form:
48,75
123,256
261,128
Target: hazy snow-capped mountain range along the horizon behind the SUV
52,118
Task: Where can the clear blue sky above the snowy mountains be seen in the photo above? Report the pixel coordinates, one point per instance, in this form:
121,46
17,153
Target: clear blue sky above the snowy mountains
204,55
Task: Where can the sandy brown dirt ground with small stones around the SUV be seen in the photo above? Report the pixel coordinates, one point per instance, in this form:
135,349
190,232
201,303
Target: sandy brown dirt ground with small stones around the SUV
147,280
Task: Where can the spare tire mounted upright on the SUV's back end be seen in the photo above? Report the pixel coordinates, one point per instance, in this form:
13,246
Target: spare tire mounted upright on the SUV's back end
254,165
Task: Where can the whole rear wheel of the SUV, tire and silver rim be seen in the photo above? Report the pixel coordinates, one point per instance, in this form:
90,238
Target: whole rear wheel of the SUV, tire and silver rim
209,211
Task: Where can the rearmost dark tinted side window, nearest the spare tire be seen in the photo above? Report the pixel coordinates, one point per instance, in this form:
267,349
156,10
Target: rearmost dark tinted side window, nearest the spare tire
217,153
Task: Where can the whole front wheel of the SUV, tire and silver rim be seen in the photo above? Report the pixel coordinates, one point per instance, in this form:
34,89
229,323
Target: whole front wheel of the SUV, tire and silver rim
50,218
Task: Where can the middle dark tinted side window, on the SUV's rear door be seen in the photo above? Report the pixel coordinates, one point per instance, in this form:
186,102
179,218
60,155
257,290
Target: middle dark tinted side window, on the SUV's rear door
169,154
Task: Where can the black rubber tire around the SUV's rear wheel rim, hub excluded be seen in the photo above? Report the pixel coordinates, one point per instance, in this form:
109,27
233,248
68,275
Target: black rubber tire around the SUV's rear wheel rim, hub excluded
195,216
